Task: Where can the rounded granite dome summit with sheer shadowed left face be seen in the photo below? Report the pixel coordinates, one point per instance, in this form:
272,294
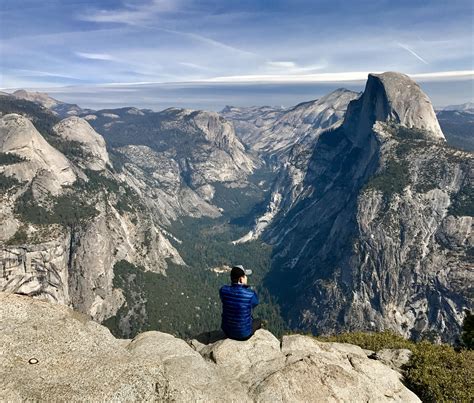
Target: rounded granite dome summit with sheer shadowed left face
393,97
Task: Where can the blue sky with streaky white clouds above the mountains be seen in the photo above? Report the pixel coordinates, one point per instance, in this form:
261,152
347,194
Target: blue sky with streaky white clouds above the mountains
206,54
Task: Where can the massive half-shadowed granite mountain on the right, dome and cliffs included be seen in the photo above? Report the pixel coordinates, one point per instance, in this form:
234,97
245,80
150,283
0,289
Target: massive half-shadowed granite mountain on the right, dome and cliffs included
376,230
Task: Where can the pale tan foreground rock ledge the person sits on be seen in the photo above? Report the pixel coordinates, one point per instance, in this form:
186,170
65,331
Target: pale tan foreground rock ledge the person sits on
49,352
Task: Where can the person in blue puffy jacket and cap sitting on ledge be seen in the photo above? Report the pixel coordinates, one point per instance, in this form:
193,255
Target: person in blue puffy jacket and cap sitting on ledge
238,300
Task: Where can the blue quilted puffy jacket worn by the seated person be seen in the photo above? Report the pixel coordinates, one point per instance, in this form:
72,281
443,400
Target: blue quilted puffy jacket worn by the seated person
237,303
